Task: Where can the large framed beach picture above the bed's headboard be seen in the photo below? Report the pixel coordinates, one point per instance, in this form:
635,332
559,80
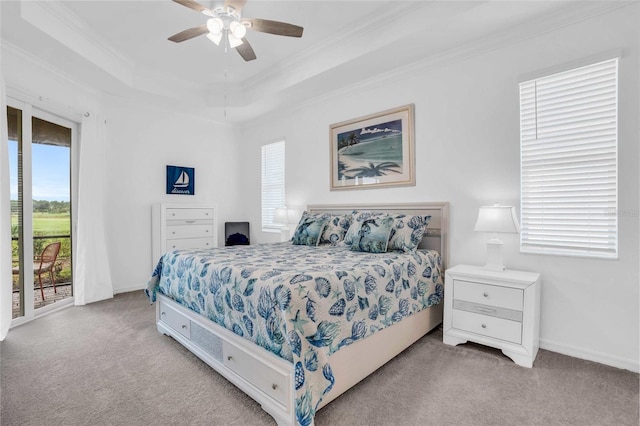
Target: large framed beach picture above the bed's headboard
373,151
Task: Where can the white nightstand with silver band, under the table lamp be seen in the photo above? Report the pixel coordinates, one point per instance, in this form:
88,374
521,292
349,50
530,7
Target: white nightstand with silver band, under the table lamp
500,309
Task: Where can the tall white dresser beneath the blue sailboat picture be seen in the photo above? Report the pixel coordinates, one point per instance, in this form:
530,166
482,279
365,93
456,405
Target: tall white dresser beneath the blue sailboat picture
182,226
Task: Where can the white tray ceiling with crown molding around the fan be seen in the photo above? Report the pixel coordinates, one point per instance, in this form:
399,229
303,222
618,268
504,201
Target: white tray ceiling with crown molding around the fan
121,47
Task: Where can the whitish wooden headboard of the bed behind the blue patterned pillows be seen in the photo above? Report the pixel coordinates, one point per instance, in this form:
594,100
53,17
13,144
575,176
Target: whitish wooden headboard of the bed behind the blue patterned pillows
437,233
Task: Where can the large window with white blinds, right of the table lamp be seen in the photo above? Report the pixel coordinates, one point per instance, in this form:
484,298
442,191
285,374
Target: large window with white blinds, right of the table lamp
569,162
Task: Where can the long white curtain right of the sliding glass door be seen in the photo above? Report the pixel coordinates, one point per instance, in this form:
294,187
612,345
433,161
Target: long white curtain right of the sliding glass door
92,275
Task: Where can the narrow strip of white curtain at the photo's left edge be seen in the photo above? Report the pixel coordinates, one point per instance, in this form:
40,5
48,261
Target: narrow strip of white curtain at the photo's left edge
5,218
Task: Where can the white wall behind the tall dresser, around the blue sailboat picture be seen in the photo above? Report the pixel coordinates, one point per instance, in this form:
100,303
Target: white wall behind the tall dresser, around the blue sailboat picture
143,140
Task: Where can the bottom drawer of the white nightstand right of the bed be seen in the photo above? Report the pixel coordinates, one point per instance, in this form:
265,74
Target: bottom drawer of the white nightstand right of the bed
497,328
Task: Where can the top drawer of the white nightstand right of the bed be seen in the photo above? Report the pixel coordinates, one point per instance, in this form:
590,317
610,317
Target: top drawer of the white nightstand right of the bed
503,297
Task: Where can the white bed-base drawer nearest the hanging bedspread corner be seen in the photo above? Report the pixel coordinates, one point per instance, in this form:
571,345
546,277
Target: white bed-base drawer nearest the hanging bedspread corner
265,378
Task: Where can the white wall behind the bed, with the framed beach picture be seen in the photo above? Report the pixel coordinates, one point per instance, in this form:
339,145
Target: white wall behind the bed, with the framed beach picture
467,153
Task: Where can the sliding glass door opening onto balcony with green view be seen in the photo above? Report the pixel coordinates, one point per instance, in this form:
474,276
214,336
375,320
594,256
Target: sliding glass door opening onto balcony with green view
40,158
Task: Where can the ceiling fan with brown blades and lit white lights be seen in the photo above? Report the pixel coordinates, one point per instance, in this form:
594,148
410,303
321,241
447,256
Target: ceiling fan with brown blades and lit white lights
226,24
